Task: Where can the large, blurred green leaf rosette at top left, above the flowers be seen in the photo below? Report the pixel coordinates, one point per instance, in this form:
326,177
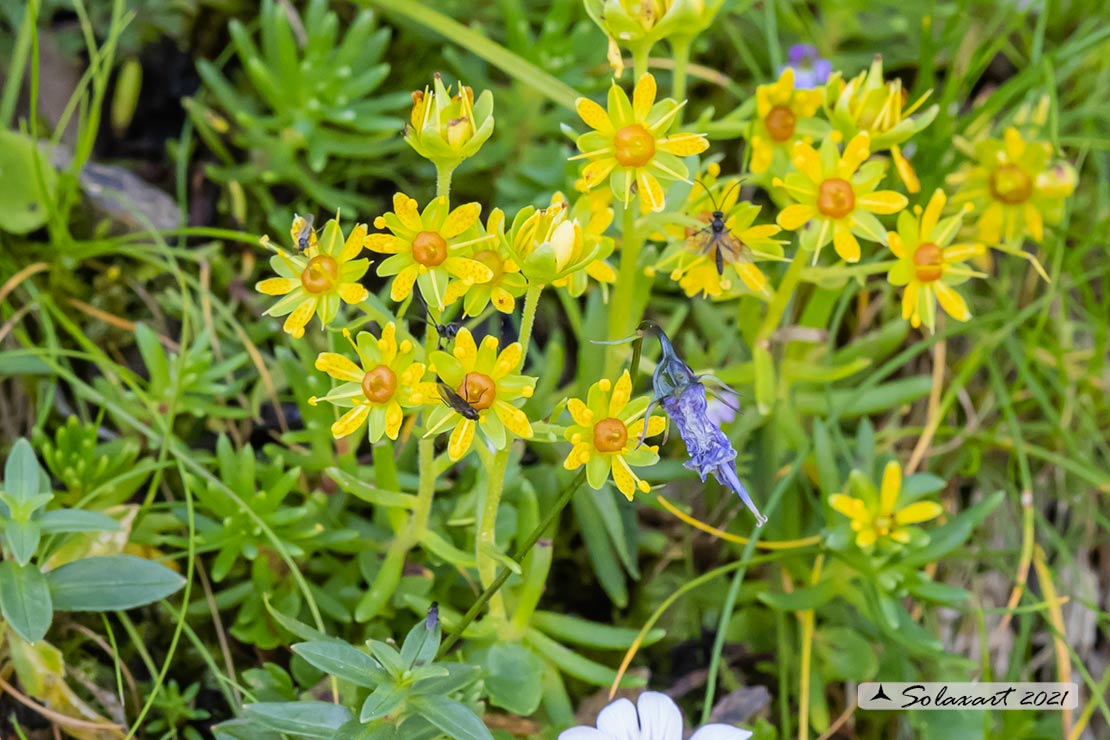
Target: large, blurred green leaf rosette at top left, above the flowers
304,110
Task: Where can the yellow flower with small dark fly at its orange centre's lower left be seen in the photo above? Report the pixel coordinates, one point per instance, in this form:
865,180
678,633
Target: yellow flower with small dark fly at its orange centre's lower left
486,381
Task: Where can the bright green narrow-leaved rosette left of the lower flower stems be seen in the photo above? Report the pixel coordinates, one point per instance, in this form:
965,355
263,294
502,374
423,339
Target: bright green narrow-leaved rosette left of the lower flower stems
248,516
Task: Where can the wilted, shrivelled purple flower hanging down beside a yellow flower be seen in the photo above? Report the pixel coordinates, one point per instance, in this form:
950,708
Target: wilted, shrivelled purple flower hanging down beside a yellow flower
683,398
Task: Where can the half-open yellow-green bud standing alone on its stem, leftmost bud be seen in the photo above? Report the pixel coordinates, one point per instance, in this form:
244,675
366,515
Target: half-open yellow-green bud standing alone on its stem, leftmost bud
448,129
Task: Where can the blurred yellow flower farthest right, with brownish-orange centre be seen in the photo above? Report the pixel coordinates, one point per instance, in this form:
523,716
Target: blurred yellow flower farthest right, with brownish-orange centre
1015,188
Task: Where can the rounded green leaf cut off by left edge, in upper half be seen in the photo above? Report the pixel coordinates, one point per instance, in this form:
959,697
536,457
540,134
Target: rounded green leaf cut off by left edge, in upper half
23,204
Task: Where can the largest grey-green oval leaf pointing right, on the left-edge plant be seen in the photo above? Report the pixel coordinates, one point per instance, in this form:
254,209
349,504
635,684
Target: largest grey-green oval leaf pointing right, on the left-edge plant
112,583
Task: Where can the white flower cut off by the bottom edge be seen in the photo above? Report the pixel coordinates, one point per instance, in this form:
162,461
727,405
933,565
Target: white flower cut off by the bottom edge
654,717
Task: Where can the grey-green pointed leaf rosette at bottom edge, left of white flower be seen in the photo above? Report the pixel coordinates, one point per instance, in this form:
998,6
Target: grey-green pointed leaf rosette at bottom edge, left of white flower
386,694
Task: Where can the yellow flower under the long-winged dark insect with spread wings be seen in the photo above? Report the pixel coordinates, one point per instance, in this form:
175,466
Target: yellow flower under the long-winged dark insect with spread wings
692,257
